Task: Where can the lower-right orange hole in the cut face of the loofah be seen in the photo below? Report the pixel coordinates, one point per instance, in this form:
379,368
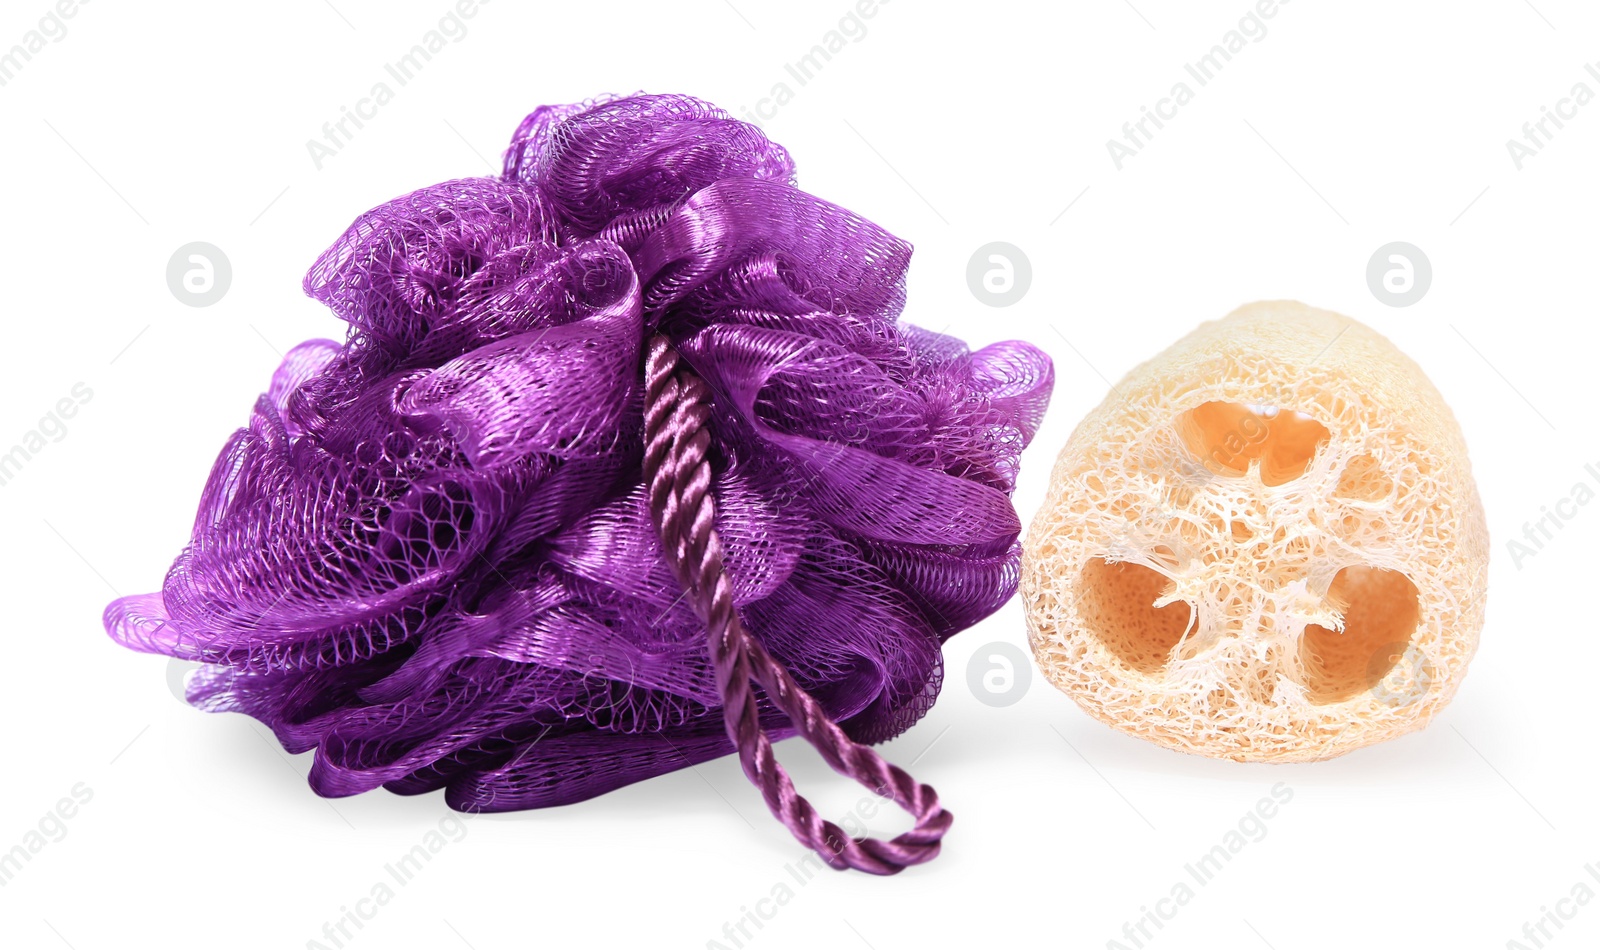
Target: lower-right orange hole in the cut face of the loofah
1380,613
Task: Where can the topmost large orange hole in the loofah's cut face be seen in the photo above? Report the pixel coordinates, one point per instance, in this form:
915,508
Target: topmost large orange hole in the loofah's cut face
1231,437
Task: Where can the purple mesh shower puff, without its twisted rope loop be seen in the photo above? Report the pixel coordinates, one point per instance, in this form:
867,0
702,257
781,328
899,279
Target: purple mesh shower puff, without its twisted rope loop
430,554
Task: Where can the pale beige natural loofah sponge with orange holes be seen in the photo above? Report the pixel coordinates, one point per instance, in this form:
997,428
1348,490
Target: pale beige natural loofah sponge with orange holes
1265,545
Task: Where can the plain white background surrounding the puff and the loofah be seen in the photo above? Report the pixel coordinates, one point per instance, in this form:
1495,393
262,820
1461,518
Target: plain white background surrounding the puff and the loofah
1350,126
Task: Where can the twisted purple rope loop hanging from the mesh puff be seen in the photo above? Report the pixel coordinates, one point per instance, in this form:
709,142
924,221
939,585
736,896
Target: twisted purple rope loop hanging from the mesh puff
682,508
